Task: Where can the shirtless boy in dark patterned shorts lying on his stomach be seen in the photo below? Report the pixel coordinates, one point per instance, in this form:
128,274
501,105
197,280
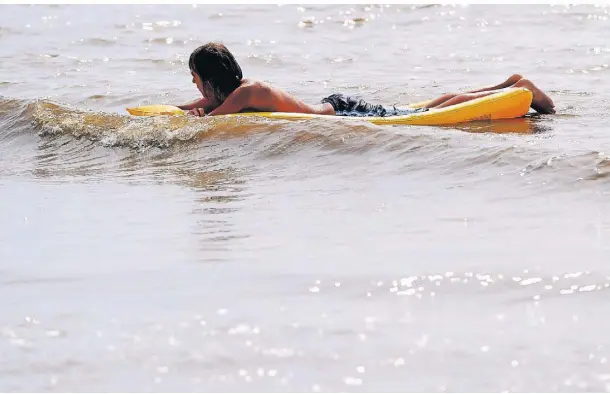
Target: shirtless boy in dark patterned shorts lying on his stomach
220,81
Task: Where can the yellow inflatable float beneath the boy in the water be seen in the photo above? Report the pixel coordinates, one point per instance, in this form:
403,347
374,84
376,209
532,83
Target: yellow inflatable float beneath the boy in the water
508,104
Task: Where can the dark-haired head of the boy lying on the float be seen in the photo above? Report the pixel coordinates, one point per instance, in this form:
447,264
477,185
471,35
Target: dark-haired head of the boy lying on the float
215,71
